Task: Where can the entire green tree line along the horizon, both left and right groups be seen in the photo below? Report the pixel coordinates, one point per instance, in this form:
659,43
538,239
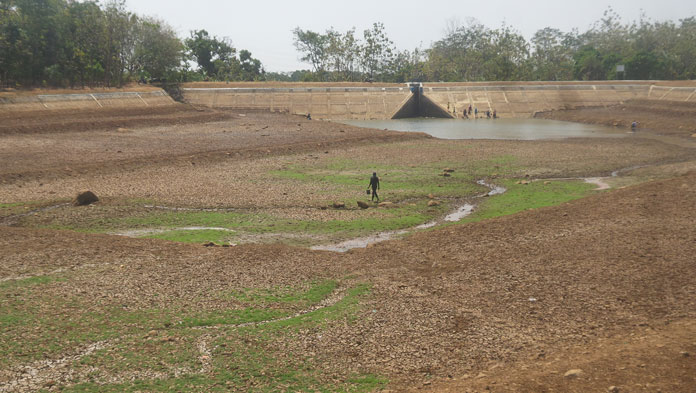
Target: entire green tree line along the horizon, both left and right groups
67,43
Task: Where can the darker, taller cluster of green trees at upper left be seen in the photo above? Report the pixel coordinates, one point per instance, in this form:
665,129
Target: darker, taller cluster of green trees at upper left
68,43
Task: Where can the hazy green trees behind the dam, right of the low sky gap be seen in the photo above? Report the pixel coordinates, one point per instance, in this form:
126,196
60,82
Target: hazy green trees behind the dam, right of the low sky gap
474,52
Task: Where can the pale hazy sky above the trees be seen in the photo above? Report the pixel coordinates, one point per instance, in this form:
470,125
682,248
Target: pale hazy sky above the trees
265,27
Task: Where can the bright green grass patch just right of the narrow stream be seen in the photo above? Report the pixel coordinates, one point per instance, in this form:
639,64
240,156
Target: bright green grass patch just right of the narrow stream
520,197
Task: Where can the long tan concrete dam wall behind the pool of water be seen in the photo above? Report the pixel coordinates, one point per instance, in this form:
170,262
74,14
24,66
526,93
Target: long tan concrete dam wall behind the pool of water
437,100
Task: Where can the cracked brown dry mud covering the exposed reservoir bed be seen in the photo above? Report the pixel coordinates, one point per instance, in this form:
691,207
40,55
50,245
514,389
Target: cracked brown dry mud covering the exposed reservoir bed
613,274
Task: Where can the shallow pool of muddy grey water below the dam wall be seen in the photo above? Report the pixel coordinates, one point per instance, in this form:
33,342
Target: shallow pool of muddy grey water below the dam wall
518,129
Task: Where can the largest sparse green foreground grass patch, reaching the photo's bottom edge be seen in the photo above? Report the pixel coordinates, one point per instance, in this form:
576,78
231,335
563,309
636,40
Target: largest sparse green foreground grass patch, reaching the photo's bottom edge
243,358
